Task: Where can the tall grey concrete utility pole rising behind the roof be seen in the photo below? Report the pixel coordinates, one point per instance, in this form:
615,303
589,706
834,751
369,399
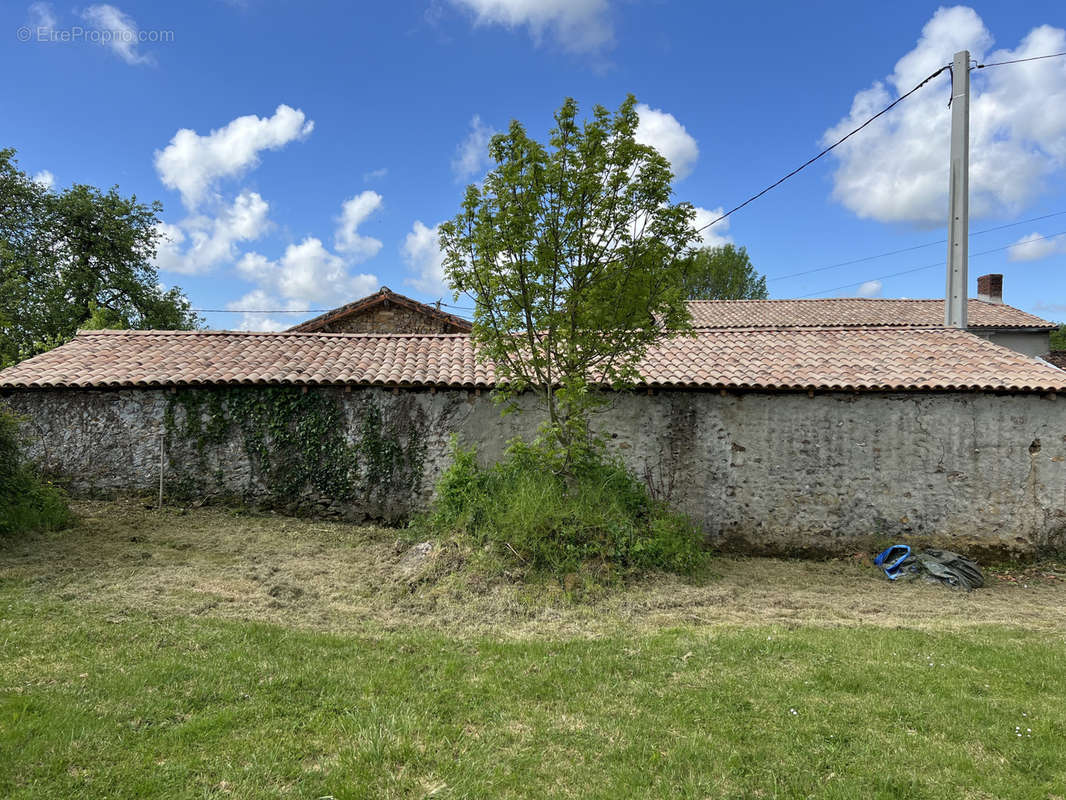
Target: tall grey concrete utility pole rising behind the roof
959,219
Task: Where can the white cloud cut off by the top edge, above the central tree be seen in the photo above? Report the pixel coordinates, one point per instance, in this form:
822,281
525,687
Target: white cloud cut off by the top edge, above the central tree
579,26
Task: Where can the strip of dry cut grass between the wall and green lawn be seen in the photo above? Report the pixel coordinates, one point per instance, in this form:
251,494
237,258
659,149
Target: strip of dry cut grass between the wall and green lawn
327,575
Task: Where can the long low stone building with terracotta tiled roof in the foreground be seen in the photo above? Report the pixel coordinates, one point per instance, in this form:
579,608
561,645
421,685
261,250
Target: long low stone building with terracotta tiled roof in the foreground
786,439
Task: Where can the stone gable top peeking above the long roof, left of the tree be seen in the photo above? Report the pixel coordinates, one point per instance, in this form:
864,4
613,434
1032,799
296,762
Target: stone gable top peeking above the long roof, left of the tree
385,312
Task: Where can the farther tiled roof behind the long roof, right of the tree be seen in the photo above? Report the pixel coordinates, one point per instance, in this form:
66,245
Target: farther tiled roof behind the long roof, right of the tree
860,312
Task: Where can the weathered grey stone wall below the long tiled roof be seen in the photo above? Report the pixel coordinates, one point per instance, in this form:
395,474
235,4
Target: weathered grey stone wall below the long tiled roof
783,473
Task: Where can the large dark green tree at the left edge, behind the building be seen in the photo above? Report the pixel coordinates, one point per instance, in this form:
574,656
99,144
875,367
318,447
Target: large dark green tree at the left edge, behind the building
73,255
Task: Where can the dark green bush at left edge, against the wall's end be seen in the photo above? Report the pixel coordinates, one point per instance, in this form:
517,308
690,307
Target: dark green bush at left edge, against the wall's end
27,503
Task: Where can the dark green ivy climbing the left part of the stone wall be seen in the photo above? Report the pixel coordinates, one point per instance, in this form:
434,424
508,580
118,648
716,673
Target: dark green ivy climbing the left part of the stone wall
298,444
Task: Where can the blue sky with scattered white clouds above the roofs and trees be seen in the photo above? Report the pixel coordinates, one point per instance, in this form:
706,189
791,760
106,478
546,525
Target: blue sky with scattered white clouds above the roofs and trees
305,152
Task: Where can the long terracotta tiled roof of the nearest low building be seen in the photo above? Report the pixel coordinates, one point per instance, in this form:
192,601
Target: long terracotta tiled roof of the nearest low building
742,359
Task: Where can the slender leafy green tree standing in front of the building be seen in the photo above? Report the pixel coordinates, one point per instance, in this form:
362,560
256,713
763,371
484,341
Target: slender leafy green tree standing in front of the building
573,257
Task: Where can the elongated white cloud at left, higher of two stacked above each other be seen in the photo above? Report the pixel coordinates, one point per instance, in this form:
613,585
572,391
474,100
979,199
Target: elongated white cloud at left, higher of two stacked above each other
192,164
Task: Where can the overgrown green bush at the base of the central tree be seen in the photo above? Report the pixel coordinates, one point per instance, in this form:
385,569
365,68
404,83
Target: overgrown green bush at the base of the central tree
532,509
